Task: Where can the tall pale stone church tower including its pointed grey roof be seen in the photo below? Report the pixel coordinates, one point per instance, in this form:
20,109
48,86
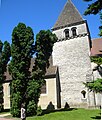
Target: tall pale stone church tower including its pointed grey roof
71,53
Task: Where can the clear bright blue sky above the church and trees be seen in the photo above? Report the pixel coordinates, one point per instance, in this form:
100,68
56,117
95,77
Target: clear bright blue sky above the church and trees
39,15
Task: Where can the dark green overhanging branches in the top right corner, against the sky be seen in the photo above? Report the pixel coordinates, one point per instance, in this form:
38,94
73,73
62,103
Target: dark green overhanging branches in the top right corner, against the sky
95,8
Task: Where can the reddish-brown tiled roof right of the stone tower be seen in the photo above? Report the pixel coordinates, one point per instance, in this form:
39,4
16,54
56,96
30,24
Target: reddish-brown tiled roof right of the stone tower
96,49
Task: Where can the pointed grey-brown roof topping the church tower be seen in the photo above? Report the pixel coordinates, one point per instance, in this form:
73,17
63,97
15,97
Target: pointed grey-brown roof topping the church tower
69,15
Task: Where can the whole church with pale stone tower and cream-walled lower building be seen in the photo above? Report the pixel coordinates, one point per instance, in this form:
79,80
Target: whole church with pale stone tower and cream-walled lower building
70,65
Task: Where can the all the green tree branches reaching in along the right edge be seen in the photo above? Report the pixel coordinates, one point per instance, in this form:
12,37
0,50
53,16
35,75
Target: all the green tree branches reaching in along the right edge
95,8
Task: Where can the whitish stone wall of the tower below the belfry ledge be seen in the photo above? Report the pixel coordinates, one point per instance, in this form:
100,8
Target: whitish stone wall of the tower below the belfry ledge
72,58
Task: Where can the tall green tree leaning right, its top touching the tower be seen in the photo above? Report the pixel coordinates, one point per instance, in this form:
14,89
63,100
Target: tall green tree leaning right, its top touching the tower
43,47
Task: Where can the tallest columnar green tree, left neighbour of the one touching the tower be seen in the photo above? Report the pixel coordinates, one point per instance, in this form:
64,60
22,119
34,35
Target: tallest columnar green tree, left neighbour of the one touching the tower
21,52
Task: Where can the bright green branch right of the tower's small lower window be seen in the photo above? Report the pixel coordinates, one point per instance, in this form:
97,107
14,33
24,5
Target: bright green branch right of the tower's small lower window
95,85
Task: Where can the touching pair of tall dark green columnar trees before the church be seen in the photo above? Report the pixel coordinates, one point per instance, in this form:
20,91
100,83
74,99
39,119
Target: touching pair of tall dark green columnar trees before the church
26,85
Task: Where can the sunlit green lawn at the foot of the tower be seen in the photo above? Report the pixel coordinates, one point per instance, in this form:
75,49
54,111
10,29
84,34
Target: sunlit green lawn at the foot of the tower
71,114
